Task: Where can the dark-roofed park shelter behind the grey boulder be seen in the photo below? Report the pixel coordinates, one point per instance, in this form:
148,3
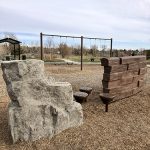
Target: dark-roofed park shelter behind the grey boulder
14,43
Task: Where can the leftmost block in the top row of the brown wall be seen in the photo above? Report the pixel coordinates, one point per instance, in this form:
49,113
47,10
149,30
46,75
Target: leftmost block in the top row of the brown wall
110,61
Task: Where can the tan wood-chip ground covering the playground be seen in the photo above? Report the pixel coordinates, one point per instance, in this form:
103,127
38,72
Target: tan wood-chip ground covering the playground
126,126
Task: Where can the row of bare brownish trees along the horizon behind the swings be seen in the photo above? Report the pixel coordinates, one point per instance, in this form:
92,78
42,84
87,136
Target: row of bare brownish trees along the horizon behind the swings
65,50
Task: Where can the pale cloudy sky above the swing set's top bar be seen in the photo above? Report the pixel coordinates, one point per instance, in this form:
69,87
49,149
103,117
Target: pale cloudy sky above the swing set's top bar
126,21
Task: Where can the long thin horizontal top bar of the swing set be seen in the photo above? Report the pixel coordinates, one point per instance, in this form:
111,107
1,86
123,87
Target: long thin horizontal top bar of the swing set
75,37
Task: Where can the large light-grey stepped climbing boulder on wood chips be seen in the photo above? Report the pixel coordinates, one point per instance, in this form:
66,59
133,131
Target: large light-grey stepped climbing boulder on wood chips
40,107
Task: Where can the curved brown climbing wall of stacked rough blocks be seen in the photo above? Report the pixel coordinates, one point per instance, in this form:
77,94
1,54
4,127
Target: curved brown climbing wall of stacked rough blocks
124,79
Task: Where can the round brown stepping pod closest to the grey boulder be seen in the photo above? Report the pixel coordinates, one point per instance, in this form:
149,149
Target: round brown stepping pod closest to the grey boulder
80,96
